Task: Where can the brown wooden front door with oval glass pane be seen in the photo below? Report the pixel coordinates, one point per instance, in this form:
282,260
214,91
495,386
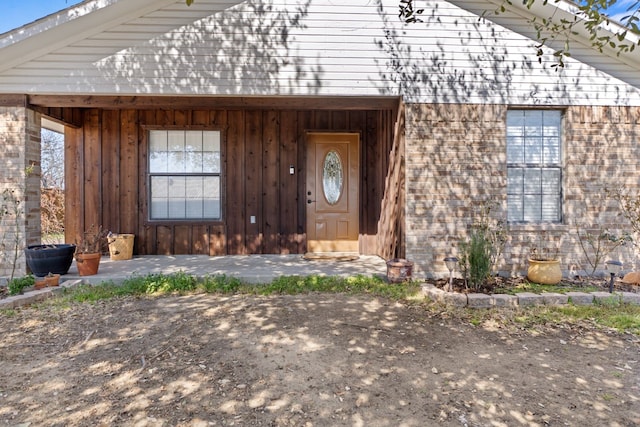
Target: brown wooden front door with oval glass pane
333,172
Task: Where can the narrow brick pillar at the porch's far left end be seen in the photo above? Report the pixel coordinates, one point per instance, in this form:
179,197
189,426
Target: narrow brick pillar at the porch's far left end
20,135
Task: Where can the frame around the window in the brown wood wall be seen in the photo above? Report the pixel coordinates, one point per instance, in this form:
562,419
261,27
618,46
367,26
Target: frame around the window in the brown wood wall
149,175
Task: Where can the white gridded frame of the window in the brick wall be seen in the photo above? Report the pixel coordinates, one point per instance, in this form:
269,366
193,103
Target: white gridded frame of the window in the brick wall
541,166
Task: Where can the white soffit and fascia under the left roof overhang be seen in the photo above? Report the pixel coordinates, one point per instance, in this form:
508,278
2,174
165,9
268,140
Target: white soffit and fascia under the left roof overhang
100,19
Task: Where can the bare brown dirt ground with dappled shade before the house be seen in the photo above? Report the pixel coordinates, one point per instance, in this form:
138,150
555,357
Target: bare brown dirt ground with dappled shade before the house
306,360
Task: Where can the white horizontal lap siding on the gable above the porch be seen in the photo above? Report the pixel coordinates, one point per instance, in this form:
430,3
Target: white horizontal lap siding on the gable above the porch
323,47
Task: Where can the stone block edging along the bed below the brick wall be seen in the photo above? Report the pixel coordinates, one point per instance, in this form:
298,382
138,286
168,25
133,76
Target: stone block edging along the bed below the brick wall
525,299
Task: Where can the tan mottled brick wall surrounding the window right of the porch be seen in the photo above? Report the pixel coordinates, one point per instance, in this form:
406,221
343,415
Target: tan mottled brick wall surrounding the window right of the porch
456,159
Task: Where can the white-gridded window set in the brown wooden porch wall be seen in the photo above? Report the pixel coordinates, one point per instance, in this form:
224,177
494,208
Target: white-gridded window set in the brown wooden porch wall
184,175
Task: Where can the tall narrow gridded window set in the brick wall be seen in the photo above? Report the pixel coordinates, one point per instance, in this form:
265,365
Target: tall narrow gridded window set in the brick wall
534,166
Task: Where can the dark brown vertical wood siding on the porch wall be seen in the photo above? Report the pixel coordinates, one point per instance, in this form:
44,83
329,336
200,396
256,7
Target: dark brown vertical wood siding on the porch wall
106,178
